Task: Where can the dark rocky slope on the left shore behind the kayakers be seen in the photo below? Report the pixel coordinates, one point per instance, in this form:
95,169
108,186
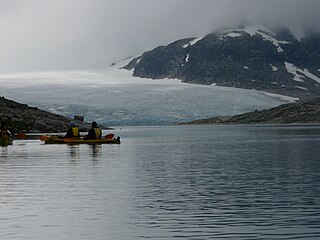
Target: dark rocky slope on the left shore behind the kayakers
21,117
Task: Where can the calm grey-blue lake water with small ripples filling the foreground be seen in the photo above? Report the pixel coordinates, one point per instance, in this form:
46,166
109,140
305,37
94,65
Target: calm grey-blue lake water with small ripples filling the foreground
178,182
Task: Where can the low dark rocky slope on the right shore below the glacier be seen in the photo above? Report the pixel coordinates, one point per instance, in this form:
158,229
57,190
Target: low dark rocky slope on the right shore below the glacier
301,112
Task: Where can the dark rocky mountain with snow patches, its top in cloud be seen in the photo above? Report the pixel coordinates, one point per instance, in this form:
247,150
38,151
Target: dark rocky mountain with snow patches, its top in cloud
250,58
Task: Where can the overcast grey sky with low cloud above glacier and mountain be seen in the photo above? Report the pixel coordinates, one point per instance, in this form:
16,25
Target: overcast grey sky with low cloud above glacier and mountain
40,35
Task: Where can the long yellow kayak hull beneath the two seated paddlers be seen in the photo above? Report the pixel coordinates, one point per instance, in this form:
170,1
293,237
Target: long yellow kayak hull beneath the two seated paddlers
108,139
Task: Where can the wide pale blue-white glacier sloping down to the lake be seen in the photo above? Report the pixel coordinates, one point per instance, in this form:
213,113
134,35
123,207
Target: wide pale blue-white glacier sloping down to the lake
115,98
